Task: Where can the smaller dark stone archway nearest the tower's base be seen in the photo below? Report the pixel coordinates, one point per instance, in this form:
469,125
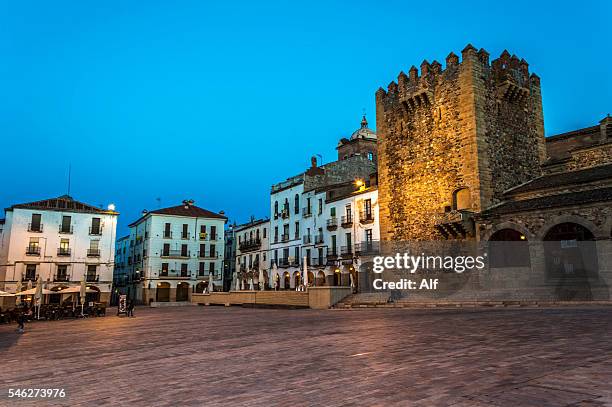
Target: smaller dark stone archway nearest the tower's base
509,248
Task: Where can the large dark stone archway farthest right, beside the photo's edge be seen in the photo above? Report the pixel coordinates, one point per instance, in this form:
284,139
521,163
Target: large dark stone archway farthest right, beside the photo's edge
571,258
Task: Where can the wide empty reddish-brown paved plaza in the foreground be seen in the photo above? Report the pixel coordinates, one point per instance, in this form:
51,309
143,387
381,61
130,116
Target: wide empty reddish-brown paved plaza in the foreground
201,356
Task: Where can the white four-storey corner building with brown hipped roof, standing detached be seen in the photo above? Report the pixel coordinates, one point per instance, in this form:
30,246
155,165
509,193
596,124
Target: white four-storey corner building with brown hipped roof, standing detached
176,251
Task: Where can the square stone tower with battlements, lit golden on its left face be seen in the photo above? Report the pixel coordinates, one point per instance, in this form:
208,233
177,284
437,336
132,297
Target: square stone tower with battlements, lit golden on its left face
451,141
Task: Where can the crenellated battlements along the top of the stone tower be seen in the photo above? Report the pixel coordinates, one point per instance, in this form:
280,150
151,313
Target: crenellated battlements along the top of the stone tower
508,72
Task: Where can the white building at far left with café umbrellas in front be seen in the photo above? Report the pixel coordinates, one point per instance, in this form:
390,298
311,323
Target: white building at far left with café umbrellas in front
62,241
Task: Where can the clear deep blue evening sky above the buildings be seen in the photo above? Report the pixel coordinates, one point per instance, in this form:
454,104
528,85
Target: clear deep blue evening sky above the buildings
217,101
